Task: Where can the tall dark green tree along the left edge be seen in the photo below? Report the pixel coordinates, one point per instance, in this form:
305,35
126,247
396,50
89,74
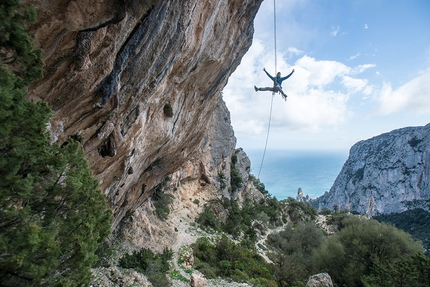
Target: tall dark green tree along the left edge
52,214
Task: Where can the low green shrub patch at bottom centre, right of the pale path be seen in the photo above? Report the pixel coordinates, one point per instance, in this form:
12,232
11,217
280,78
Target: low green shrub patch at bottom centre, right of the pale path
227,259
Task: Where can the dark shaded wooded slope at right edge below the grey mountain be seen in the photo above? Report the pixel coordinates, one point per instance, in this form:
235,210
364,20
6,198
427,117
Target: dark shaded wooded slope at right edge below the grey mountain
415,222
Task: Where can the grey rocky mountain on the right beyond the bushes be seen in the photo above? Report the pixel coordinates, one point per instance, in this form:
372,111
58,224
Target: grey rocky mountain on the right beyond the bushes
385,174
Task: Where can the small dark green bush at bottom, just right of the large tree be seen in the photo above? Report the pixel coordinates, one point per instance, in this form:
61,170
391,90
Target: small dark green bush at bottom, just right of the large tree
154,266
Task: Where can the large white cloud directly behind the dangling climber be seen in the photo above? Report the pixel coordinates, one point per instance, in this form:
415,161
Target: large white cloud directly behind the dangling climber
318,94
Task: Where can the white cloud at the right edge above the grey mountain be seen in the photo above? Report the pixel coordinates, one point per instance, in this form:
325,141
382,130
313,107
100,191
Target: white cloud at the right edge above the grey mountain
412,97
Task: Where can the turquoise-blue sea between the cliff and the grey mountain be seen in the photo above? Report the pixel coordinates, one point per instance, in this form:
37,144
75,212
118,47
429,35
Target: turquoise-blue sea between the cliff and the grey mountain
285,171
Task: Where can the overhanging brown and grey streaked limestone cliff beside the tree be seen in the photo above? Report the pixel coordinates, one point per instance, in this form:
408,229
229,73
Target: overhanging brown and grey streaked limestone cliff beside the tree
140,83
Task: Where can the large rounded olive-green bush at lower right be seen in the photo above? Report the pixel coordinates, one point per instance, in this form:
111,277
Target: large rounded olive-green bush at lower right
359,246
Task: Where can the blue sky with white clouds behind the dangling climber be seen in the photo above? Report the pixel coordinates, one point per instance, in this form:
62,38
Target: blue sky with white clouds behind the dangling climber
362,68
